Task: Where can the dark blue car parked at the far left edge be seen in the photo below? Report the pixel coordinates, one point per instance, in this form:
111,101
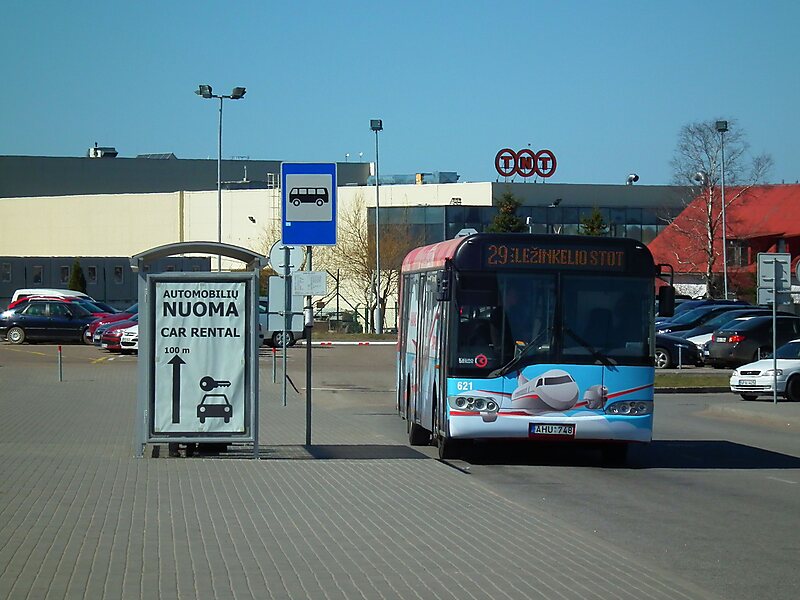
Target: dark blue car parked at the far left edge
45,320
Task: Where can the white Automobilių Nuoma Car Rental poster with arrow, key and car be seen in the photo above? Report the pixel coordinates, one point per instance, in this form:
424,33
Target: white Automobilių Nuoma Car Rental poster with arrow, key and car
200,343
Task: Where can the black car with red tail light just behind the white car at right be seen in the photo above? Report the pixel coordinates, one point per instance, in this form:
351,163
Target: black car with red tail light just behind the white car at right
749,340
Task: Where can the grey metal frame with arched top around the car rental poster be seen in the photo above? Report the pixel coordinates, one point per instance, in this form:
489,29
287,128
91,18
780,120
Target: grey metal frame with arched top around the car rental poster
139,263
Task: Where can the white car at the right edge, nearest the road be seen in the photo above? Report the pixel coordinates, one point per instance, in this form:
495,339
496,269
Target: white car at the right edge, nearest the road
756,379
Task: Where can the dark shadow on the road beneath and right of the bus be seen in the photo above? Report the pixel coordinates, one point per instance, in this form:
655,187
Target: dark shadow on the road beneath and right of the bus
660,454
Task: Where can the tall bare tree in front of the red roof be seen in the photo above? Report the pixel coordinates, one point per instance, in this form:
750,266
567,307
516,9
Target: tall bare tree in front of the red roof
698,162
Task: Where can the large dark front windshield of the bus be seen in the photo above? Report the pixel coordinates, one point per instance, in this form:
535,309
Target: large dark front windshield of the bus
531,318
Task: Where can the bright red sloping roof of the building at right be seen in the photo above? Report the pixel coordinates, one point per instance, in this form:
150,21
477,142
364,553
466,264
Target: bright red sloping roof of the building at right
764,213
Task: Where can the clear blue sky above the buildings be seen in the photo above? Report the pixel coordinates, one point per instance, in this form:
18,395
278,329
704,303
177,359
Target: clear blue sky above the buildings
605,85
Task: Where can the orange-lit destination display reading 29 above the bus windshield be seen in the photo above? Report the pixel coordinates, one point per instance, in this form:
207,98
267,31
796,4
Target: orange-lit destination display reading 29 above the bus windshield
522,255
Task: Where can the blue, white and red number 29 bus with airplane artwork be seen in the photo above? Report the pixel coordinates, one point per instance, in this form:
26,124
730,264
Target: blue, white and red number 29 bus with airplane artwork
528,336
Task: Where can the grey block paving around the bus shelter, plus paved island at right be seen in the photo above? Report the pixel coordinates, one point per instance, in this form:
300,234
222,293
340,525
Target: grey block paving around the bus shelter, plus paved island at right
354,515
